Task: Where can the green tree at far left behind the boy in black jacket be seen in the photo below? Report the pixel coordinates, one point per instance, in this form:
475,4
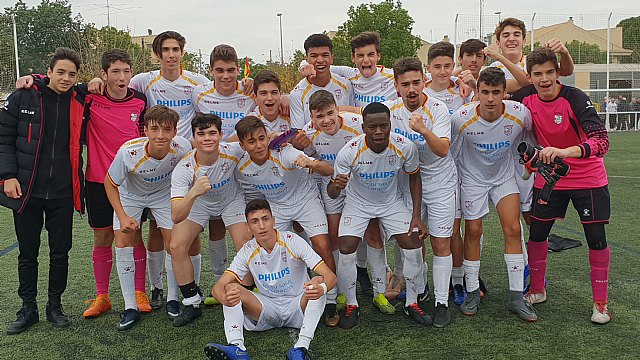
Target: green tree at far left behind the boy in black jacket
41,29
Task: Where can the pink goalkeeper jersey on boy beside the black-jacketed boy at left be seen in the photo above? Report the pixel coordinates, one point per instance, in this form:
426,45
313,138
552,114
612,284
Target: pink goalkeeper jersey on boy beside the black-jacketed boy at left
112,122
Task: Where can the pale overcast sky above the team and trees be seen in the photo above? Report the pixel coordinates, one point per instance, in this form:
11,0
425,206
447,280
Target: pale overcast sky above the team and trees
252,26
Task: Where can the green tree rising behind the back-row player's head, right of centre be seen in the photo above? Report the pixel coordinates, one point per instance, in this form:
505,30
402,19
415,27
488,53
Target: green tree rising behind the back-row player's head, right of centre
389,19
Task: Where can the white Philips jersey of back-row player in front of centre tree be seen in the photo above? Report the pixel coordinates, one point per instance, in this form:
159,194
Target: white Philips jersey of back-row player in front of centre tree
377,88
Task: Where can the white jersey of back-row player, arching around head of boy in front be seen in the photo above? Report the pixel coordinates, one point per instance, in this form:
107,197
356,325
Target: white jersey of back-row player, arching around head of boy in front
299,98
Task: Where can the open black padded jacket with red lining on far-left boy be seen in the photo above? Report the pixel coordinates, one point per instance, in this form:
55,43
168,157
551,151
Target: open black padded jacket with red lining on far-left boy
21,128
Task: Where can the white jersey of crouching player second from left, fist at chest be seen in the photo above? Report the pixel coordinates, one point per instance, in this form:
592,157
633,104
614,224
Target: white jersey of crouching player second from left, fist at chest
221,174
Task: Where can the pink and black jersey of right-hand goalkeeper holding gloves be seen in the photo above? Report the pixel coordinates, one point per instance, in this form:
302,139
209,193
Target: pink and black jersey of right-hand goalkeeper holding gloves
569,120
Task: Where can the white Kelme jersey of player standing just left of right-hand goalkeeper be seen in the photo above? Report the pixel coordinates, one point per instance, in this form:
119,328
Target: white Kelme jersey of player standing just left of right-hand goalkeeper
487,148
